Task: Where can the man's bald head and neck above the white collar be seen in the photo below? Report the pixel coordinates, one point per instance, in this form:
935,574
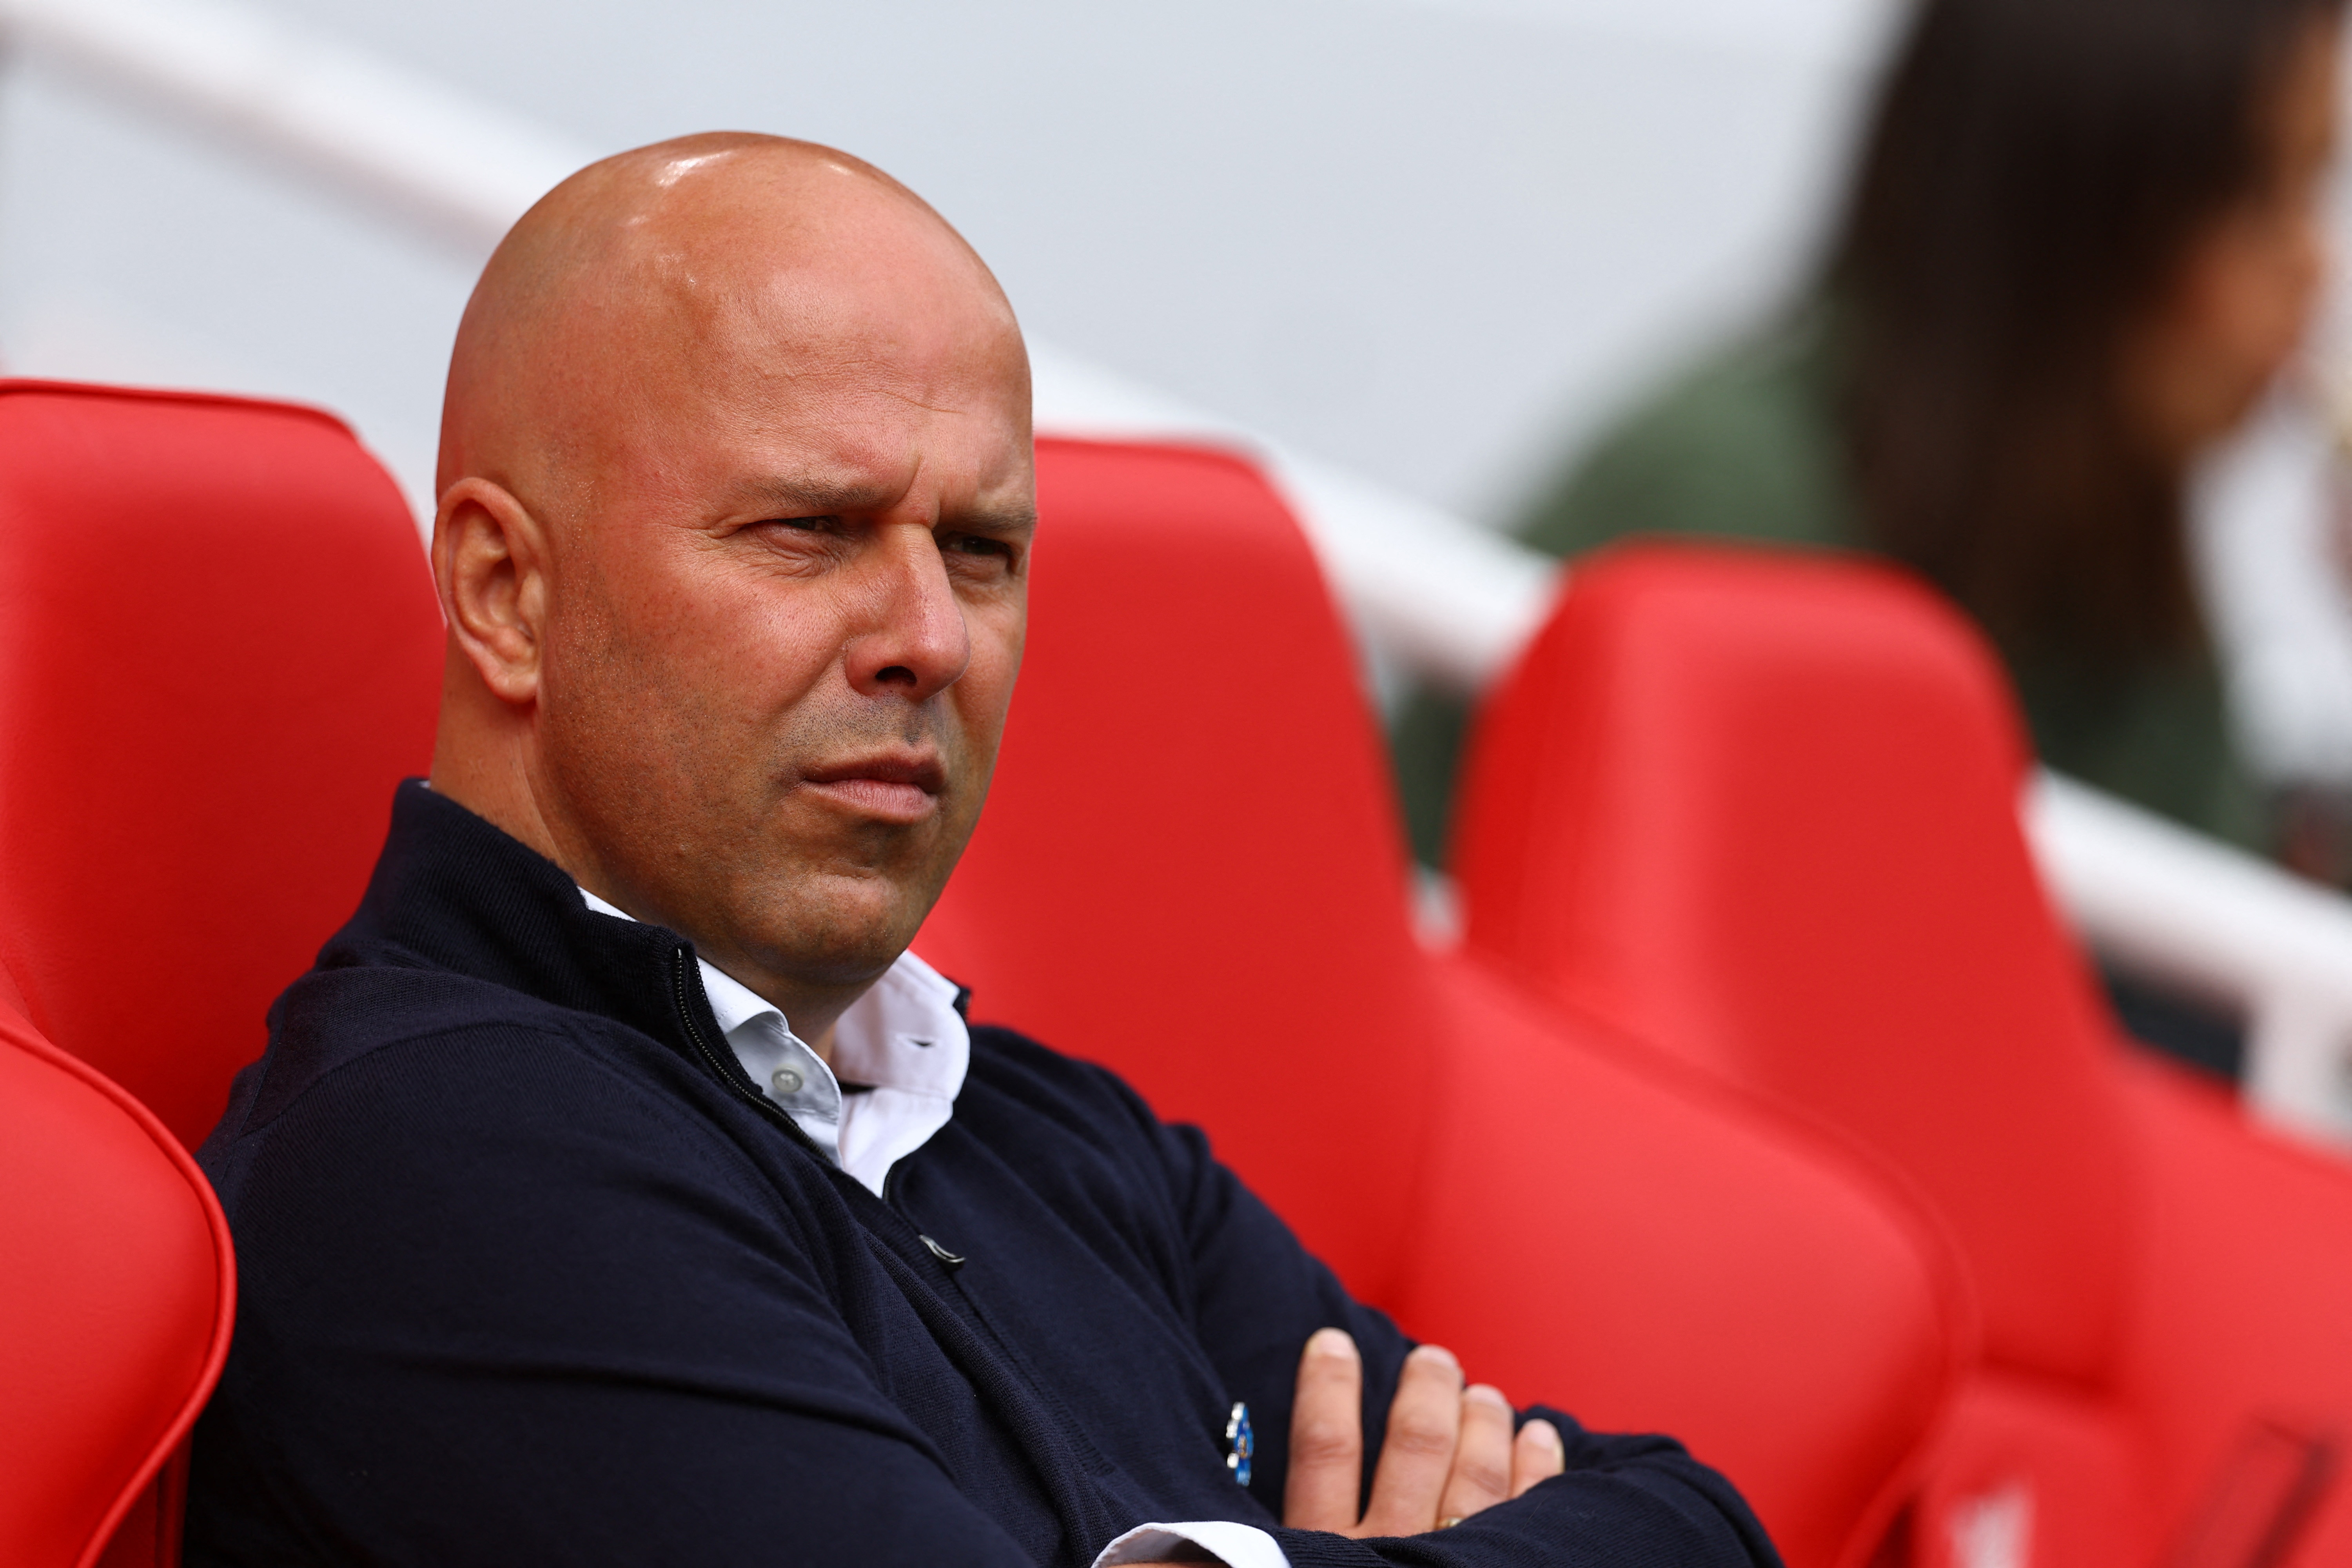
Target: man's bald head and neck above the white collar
733,544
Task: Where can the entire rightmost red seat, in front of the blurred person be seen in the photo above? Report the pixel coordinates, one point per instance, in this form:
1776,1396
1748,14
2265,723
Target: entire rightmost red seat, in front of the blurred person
1763,810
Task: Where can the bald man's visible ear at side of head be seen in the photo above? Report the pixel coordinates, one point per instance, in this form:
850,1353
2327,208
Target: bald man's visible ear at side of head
490,565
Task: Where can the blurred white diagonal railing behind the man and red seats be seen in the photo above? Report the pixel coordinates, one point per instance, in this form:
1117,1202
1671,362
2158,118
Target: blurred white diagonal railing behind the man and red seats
1426,589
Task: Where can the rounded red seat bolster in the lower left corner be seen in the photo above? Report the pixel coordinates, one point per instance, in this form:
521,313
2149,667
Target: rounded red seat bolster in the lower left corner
116,1301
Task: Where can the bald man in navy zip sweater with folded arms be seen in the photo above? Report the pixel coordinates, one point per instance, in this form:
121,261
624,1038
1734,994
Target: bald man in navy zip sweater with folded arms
620,1188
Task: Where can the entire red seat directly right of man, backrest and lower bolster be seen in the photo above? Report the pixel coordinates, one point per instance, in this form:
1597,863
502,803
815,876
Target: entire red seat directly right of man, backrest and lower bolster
1191,871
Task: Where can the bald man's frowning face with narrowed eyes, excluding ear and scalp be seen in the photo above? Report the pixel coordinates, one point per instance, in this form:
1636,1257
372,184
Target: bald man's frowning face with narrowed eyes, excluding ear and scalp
787,612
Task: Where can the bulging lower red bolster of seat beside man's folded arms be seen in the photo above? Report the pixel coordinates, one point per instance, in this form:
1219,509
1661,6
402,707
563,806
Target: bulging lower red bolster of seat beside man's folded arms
1662,1254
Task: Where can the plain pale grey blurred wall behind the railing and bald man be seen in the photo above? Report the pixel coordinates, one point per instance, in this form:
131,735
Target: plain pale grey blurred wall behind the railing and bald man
1429,241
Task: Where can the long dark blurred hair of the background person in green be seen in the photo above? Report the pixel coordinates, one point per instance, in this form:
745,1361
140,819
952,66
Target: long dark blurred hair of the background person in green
2033,180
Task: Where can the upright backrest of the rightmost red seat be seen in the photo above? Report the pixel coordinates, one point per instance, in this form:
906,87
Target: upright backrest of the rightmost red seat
1763,810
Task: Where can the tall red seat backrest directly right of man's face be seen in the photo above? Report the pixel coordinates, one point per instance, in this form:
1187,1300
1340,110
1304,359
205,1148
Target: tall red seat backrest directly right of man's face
1189,847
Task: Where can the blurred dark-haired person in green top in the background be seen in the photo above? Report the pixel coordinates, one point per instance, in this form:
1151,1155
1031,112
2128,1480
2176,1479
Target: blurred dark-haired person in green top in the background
2083,241
